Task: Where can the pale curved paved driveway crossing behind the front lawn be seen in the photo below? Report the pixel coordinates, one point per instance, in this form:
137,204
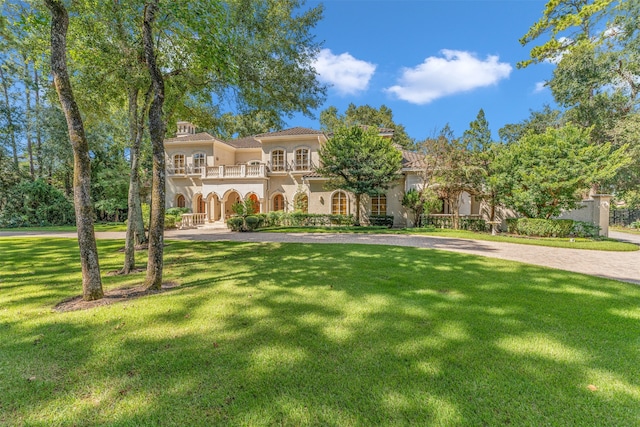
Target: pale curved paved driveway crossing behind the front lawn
624,266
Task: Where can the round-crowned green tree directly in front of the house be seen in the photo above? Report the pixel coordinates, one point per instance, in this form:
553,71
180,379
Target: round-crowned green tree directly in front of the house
359,160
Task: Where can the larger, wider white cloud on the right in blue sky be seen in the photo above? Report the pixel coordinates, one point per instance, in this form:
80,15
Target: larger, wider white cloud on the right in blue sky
455,72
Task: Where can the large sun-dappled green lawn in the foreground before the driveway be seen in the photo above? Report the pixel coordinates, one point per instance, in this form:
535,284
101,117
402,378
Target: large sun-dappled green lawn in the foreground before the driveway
297,334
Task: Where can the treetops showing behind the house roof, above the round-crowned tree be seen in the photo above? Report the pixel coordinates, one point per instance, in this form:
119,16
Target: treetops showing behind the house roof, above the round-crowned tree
365,115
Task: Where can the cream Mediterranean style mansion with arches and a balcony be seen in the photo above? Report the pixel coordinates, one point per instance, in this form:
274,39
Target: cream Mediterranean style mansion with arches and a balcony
276,170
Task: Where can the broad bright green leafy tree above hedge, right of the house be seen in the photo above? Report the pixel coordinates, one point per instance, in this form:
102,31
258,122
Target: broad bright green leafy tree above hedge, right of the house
543,174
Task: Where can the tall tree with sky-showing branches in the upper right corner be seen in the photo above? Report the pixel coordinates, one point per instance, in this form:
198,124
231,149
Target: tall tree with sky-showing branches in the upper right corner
595,46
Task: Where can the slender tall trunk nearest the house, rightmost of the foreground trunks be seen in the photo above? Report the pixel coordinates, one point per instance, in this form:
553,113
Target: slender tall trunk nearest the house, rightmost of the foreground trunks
156,130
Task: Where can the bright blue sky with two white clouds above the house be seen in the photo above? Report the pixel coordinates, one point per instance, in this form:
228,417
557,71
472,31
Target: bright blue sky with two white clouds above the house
432,62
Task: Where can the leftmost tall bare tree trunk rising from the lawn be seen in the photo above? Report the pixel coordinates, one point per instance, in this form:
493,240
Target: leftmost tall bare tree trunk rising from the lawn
91,282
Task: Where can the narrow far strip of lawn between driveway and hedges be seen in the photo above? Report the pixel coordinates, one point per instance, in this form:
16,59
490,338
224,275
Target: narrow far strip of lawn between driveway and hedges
577,243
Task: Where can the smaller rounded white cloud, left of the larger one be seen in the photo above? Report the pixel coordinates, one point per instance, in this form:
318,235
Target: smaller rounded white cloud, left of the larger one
346,73
